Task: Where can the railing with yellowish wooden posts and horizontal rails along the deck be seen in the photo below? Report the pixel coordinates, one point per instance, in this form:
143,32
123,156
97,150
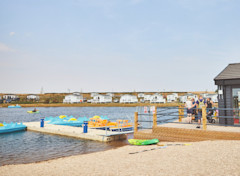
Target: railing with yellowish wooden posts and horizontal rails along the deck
149,117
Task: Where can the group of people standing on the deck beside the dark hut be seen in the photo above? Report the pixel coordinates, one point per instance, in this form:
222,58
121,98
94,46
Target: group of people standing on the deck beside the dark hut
194,108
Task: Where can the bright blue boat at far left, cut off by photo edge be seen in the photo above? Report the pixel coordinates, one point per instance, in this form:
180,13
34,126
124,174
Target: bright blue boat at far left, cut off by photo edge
12,127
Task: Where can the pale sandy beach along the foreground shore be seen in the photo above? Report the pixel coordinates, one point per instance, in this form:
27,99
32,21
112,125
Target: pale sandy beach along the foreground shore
200,158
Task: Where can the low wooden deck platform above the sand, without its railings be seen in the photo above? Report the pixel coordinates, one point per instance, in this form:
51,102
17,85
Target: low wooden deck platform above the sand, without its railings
178,132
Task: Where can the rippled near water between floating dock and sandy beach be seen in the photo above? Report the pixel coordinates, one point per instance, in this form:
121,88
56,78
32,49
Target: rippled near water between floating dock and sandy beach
28,147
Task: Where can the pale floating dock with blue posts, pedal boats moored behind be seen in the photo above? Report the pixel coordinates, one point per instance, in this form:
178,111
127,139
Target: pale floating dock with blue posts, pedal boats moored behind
77,132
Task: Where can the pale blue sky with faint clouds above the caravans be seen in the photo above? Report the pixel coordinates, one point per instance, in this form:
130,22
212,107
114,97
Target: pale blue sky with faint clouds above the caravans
116,45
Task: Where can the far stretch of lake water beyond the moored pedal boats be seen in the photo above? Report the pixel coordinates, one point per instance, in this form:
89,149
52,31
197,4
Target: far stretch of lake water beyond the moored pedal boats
20,114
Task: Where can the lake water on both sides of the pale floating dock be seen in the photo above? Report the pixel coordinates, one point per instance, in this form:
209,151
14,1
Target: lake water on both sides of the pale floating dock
27,147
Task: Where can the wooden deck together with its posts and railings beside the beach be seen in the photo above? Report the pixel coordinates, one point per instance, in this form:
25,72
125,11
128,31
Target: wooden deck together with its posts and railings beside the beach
178,130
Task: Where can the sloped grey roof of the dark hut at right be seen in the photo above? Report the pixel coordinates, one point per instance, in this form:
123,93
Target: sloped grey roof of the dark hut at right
232,71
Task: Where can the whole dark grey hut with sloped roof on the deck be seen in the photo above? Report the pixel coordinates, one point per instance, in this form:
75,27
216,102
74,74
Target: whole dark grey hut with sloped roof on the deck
228,82
